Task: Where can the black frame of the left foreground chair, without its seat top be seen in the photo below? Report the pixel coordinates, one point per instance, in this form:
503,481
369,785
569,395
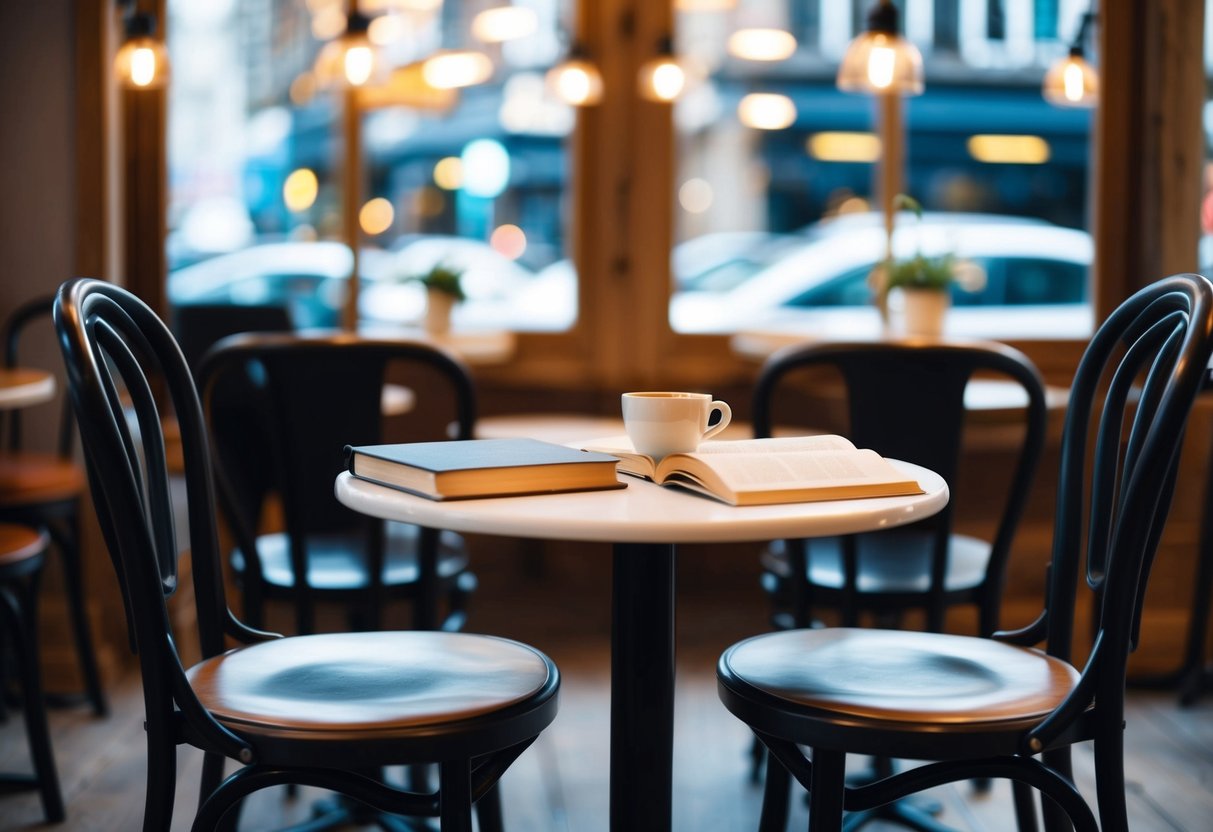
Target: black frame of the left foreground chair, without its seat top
106,334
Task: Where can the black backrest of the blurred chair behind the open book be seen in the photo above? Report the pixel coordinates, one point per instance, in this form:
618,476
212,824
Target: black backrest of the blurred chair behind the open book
907,401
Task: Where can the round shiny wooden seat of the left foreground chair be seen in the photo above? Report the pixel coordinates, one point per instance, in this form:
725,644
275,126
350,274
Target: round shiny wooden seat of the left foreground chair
372,688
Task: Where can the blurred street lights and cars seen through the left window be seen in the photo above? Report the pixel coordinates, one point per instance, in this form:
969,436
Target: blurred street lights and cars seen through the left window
468,178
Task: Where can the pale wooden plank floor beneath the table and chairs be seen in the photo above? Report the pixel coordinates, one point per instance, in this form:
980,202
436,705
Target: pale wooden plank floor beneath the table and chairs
560,785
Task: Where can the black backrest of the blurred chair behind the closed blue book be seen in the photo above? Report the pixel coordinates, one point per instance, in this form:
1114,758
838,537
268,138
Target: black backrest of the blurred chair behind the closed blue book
315,396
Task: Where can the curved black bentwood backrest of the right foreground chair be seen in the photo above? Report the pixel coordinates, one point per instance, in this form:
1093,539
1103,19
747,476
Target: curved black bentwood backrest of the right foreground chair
1120,451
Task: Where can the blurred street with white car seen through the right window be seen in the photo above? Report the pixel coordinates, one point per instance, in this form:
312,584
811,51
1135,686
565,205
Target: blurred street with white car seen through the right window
785,195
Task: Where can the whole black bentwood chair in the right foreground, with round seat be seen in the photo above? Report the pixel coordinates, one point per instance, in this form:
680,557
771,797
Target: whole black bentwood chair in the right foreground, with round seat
999,708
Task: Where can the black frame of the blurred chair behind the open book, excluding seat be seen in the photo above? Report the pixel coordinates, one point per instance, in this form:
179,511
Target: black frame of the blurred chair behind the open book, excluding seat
881,377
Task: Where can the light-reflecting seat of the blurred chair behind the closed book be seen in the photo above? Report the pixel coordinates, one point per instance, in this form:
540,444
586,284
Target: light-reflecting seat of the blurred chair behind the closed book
337,562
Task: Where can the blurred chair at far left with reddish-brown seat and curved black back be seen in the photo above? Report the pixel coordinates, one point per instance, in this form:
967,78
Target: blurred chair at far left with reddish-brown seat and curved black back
44,489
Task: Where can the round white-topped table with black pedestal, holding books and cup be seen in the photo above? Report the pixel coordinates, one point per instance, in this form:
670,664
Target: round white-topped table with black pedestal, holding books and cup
645,522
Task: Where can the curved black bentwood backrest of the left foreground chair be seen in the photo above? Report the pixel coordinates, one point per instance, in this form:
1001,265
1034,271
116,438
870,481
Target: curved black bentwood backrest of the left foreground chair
126,373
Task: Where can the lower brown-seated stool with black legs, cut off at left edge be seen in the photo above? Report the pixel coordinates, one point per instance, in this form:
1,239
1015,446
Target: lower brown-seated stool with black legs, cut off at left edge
22,552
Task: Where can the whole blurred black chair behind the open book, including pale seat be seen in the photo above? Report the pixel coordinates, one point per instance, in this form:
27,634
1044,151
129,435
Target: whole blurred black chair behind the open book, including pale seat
907,402
